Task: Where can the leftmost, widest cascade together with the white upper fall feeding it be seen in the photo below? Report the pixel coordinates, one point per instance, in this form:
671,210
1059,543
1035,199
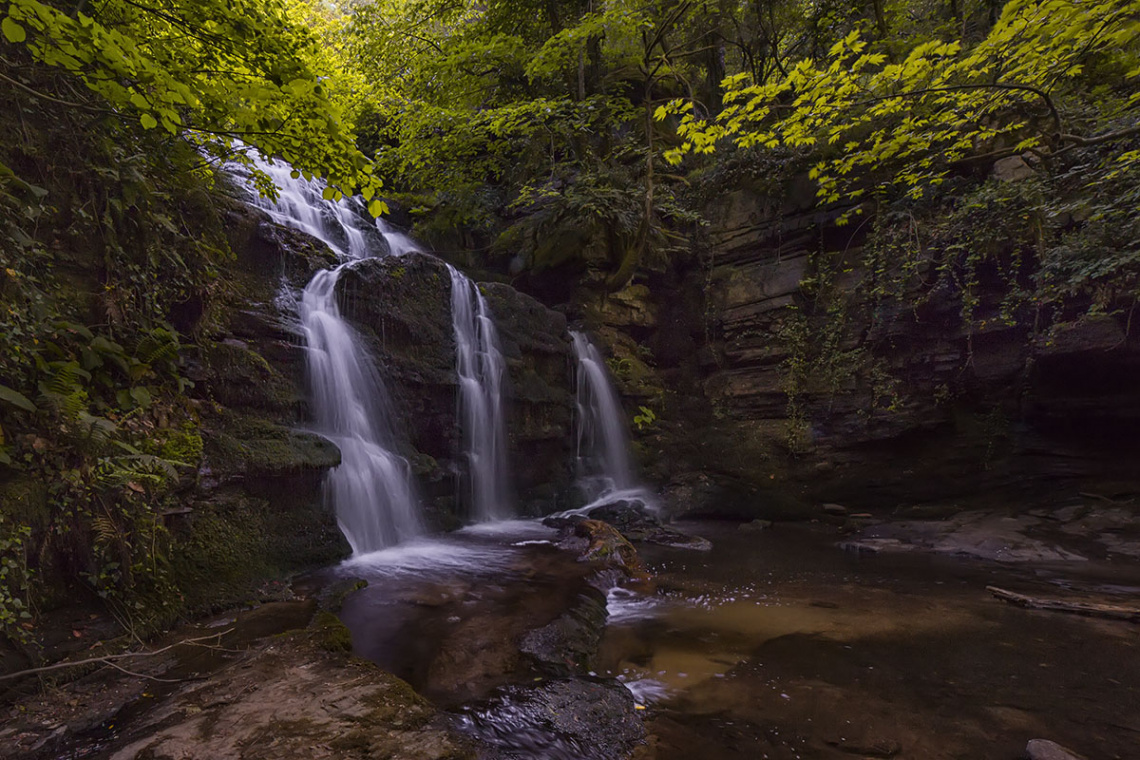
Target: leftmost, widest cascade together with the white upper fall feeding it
372,491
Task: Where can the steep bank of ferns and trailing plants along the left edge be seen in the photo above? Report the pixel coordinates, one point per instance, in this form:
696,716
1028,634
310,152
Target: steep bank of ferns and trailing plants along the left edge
105,234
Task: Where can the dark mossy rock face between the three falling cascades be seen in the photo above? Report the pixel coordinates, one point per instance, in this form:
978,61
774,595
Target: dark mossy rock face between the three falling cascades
403,305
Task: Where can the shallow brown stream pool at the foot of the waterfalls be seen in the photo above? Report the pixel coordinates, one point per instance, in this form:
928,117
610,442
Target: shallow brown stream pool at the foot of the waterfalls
775,644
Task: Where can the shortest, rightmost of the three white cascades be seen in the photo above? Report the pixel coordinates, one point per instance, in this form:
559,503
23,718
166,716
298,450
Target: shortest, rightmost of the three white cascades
604,448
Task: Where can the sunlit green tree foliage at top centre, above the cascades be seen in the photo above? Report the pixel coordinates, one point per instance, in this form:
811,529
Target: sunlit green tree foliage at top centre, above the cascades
527,121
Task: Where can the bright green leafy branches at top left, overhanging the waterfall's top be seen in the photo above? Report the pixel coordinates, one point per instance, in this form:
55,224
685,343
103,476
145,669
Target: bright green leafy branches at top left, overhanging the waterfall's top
209,71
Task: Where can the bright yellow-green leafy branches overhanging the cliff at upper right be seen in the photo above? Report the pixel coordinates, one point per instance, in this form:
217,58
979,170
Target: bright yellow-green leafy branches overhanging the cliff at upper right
909,122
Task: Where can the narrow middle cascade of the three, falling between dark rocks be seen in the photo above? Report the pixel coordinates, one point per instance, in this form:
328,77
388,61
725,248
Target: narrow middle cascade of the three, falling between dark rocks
482,375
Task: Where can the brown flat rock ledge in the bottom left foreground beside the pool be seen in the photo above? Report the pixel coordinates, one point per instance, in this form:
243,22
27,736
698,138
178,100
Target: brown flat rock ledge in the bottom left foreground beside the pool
254,693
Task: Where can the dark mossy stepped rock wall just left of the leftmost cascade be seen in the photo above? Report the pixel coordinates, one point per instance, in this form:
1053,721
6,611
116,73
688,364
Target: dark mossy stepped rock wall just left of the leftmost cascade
256,509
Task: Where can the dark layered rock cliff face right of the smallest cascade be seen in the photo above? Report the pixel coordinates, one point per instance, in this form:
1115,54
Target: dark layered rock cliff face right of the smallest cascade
773,396
